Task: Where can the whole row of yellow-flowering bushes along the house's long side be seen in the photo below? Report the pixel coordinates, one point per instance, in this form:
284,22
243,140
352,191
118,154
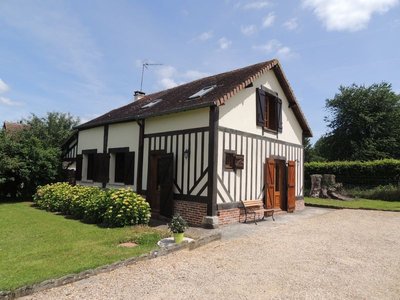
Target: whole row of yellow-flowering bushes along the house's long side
109,207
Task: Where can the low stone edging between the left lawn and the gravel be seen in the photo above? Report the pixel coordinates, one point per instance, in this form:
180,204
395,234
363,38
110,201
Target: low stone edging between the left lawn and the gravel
52,283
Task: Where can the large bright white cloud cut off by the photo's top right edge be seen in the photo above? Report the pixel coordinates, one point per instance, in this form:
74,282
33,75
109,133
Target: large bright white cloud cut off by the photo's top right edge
345,15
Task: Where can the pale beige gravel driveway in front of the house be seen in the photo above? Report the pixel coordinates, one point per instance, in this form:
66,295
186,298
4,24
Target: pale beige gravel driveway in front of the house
340,254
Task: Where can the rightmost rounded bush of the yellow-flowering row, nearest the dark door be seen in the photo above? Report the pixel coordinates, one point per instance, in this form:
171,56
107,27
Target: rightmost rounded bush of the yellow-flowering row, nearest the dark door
126,208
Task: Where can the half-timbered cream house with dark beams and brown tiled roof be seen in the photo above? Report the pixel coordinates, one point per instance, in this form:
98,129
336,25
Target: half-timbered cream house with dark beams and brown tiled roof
199,148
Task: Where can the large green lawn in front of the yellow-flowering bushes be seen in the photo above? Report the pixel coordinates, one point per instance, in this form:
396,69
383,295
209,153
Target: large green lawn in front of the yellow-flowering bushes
36,245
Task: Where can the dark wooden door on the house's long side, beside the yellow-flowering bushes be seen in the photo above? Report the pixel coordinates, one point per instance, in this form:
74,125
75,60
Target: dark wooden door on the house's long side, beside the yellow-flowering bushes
160,184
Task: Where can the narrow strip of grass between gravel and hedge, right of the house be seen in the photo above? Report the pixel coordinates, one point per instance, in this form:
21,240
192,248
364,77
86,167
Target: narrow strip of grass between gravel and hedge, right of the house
356,203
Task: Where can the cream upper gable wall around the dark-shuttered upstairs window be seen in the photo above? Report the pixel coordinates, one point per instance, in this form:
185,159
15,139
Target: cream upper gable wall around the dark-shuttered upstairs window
239,112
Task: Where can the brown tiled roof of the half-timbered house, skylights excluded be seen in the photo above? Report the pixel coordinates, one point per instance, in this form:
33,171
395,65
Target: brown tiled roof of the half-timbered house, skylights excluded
176,99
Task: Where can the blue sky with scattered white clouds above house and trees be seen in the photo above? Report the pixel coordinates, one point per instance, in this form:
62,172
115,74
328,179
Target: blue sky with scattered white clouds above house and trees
85,57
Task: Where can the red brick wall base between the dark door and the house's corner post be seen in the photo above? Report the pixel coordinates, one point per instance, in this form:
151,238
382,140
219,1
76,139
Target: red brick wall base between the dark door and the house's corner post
192,212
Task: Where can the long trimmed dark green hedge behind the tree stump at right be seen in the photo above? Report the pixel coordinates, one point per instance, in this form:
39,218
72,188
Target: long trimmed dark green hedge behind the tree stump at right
357,173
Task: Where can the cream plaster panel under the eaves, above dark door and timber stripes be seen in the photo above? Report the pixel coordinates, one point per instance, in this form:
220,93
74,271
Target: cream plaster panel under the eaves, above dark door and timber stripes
178,121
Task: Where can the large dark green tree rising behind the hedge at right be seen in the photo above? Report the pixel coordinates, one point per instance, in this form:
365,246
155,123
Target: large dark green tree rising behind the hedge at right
364,124
